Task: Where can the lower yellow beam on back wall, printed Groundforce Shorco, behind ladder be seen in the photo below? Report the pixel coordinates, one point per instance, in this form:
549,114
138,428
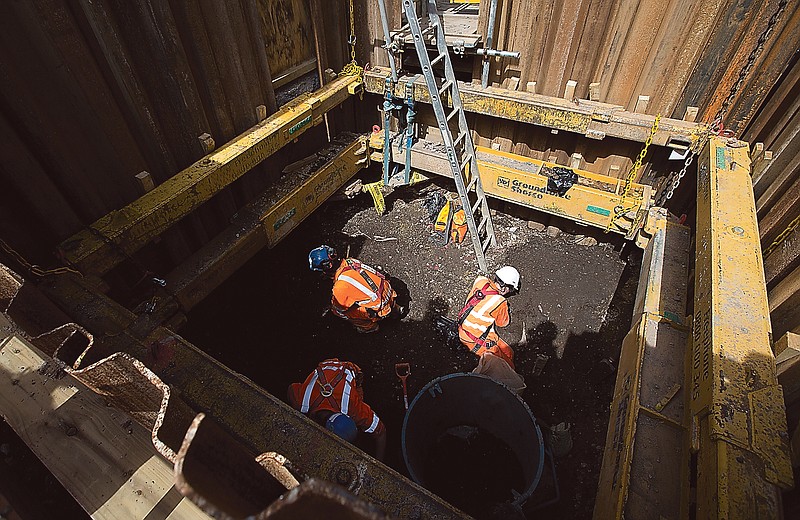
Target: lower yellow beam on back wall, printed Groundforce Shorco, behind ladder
595,200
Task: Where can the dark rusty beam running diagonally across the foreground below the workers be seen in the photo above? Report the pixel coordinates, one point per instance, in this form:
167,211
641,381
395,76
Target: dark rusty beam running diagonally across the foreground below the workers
259,420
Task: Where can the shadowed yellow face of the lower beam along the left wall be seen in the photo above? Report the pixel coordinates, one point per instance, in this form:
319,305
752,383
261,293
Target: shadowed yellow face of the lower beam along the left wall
295,206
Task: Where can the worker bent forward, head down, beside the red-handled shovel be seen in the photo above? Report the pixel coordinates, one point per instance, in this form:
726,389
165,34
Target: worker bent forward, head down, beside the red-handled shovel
333,396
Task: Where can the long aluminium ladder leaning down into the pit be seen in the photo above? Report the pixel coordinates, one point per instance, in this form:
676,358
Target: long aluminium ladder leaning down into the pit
460,150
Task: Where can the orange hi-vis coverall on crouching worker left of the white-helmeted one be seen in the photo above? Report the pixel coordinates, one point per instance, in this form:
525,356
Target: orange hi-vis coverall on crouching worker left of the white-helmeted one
361,294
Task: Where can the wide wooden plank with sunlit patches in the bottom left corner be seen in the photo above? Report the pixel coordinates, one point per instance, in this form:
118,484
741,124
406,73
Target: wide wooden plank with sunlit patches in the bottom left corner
102,457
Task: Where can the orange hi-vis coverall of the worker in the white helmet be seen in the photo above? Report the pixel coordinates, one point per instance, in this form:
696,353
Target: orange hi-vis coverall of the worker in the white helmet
485,309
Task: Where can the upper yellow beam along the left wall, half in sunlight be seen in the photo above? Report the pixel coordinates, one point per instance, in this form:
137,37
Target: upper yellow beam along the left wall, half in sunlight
120,233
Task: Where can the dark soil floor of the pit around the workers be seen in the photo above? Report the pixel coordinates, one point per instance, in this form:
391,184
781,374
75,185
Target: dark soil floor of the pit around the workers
575,304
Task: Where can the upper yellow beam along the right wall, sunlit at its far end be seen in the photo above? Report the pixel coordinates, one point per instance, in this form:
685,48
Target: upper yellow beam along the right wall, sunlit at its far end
738,417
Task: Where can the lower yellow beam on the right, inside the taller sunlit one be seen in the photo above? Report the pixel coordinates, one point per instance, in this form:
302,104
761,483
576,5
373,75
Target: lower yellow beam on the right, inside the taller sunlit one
647,423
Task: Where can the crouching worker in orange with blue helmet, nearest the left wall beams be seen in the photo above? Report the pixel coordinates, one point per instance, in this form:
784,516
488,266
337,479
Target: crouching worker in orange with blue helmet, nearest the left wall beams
361,294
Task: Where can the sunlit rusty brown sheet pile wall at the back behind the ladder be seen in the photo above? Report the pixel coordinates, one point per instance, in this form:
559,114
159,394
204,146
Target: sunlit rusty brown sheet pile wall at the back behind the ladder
721,56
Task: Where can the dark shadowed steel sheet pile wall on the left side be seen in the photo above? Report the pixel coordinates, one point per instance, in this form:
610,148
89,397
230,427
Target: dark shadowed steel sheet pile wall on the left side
94,92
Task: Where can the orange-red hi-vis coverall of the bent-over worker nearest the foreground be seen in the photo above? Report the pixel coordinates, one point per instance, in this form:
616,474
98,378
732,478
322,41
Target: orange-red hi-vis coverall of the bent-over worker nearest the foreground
335,386
